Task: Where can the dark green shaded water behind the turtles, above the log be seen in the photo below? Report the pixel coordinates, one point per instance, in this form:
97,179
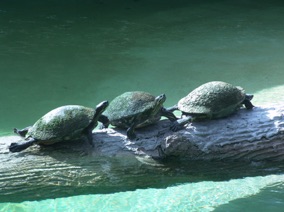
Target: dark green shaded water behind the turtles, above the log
53,56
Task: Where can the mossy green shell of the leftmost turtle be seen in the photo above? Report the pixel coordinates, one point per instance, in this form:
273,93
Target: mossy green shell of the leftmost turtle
62,123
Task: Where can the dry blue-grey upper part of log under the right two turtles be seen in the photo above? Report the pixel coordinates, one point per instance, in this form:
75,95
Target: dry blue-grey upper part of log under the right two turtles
251,135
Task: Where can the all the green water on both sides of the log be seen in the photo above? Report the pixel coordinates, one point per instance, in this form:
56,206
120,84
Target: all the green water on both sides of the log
54,53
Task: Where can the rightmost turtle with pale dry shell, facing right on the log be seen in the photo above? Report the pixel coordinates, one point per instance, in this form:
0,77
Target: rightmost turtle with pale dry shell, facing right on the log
212,100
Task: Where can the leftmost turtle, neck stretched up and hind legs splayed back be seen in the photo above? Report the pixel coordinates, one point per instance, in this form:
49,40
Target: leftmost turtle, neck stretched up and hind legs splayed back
69,122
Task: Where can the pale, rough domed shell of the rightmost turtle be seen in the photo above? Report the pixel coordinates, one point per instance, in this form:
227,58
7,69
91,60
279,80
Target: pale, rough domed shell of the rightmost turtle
214,99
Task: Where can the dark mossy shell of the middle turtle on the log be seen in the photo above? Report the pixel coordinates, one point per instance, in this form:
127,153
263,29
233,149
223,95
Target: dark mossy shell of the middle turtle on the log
130,106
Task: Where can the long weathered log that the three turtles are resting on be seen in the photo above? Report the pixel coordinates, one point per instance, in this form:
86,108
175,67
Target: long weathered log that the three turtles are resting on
77,168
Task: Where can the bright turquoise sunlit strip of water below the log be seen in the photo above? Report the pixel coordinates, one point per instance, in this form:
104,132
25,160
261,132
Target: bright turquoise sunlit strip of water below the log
203,196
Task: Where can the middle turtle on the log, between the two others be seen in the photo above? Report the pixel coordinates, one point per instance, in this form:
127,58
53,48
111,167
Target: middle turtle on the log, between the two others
135,109
